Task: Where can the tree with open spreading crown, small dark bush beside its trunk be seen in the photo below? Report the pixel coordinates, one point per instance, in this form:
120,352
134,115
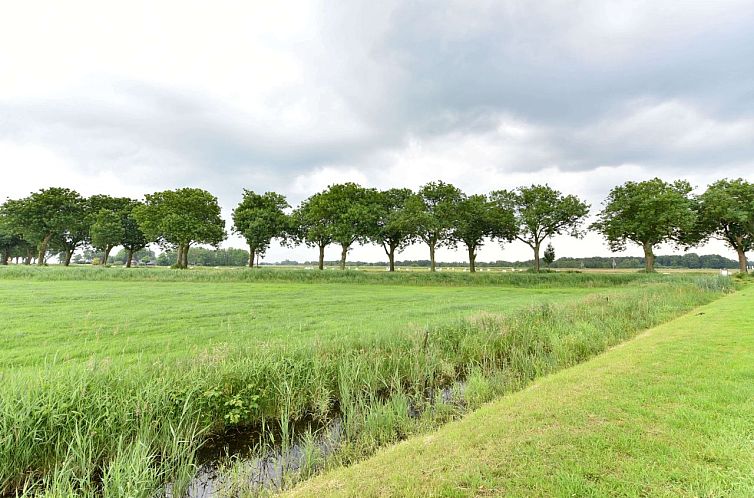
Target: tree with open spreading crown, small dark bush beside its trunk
542,212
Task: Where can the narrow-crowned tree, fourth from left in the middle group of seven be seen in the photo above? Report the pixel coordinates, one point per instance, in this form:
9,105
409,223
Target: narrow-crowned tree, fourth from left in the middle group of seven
393,230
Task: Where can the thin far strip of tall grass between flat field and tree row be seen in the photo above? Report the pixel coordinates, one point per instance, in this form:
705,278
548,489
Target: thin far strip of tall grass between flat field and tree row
517,279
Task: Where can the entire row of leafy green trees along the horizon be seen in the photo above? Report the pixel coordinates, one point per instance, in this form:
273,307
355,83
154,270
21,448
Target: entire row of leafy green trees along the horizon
646,213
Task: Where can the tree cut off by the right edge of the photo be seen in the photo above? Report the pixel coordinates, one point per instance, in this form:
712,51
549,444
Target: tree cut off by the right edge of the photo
726,212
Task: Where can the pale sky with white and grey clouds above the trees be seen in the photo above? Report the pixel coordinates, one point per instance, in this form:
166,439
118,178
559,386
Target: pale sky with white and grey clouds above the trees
136,97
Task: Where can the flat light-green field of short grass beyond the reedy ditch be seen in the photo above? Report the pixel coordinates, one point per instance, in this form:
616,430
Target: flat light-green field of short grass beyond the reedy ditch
130,322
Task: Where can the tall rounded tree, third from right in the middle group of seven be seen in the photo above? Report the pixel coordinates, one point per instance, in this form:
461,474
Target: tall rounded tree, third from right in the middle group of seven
432,213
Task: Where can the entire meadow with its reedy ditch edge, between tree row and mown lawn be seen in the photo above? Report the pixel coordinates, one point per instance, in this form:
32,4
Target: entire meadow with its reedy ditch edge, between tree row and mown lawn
113,380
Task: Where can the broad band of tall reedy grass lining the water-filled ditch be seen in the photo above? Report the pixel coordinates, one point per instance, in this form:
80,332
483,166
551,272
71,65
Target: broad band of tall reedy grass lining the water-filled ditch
121,431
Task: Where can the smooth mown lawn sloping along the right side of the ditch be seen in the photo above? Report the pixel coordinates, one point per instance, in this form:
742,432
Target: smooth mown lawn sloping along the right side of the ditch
670,413
